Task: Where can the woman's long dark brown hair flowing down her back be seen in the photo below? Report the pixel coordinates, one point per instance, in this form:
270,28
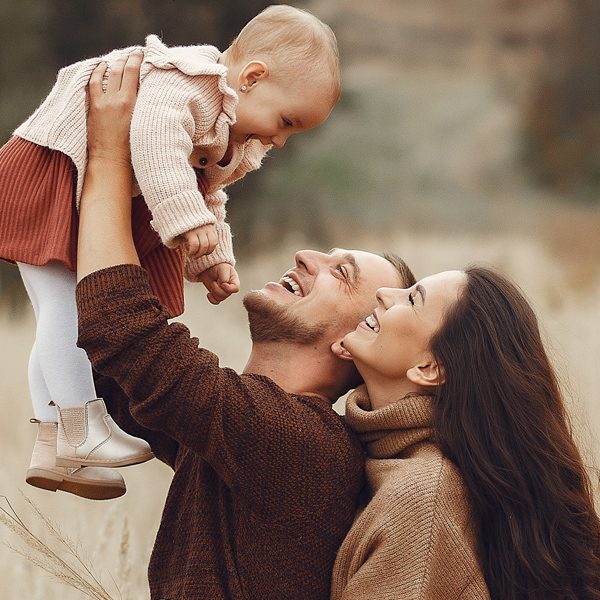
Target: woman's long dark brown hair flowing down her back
500,417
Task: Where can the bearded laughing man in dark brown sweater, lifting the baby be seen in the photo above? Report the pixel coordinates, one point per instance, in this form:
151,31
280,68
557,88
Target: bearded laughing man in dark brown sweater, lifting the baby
266,475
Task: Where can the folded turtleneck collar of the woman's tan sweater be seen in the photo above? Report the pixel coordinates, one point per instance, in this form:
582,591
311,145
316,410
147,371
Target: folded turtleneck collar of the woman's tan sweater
387,432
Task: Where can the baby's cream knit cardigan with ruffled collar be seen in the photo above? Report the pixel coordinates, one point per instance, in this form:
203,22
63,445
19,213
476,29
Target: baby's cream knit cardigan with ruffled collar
181,121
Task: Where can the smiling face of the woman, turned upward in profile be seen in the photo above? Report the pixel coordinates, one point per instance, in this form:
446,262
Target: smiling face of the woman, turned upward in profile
395,337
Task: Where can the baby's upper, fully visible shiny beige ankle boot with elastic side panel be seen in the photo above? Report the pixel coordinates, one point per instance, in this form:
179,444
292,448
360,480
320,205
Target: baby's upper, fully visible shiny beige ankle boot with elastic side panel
88,436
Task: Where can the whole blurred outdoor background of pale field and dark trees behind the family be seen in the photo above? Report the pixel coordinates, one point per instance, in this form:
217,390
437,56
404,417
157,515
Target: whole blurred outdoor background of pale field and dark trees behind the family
468,131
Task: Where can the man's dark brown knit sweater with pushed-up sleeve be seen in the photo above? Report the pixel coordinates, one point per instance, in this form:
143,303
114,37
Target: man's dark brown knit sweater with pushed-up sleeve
265,483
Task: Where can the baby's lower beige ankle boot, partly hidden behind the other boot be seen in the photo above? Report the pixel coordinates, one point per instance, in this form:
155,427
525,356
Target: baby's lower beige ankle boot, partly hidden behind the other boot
96,483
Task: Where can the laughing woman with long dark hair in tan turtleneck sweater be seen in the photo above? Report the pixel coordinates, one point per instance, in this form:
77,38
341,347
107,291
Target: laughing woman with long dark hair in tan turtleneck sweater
476,487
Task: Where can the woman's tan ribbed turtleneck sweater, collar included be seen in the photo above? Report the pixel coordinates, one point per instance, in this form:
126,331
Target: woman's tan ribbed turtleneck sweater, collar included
414,539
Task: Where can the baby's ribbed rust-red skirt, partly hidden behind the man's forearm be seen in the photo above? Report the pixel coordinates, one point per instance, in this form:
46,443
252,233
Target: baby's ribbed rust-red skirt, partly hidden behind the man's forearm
39,221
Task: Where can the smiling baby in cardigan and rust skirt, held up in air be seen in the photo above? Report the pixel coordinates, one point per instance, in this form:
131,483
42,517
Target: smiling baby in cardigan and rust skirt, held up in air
203,119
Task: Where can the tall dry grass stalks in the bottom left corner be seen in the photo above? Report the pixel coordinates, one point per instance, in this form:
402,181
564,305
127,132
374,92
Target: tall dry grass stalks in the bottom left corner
60,557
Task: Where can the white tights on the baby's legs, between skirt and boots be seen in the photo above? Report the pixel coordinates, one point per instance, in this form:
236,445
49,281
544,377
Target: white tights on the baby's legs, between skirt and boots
58,370
